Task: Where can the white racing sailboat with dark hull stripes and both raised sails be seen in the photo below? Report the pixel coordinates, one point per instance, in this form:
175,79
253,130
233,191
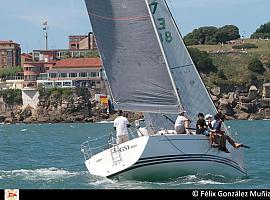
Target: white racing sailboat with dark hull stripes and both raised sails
149,70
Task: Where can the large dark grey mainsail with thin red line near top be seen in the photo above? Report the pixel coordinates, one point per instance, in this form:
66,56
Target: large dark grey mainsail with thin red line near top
132,56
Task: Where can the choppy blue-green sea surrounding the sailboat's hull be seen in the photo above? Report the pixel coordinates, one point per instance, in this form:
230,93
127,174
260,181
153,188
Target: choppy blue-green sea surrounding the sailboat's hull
48,156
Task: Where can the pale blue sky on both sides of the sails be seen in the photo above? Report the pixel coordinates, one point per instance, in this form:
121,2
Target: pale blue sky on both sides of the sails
22,20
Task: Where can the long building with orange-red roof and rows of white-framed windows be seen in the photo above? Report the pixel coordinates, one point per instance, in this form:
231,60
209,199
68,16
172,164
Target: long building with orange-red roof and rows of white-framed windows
80,72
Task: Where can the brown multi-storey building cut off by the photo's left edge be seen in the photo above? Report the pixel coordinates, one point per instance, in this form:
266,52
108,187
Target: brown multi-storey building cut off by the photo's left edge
10,54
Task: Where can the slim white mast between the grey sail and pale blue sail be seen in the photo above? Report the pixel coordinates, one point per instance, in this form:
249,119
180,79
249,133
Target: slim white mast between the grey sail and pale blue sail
165,58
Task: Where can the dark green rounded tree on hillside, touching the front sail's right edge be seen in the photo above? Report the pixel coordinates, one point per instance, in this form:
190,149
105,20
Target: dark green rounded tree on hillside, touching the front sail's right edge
202,60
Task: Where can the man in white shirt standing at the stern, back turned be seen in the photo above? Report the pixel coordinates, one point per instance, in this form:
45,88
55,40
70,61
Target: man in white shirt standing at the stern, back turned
120,125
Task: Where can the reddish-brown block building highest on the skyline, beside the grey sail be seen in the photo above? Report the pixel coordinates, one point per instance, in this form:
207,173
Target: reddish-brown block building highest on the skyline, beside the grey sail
82,42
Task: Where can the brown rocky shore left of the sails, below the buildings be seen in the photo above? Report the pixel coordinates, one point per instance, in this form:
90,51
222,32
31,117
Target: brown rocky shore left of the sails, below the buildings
55,108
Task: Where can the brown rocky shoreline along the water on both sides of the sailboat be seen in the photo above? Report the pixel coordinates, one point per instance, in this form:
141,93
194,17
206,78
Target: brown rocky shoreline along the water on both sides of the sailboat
80,106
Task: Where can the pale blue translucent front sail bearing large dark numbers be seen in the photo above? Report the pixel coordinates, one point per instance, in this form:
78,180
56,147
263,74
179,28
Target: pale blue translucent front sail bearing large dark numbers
194,96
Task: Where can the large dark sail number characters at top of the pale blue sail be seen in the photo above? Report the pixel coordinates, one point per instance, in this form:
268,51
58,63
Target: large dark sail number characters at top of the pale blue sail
161,24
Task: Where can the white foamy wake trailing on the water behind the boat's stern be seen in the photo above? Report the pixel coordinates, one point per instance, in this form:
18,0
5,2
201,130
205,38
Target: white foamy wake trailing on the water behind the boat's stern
38,174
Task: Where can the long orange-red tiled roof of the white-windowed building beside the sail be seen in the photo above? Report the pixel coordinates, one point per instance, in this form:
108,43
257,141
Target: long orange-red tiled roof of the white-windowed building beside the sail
78,62
